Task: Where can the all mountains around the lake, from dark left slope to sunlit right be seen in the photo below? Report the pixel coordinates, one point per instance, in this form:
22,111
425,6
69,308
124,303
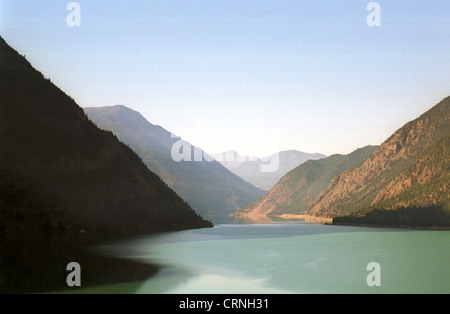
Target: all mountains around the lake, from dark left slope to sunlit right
61,174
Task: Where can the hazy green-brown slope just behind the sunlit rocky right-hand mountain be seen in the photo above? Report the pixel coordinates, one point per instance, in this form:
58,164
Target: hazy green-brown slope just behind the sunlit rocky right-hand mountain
301,186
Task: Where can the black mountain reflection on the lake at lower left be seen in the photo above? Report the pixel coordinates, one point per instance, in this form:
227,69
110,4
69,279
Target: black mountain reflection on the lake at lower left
34,265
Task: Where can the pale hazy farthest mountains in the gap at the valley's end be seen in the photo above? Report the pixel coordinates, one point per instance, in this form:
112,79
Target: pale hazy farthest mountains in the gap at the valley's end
251,169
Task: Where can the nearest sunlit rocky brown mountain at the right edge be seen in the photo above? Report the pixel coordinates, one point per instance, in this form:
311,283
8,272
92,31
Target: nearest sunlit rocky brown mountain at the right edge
405,181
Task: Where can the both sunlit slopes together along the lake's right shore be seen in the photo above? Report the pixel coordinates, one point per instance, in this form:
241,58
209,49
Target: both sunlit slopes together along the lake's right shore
405,181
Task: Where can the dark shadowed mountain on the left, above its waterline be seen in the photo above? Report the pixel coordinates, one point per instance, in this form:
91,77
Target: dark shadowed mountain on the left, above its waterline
61,174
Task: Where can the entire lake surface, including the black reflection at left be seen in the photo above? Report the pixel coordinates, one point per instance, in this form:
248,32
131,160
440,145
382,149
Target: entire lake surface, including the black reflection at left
240,258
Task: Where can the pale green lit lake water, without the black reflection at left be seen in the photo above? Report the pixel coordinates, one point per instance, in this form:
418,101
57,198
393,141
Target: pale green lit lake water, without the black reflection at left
288,258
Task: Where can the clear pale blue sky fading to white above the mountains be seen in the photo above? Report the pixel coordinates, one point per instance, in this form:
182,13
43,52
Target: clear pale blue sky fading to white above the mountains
254,76
